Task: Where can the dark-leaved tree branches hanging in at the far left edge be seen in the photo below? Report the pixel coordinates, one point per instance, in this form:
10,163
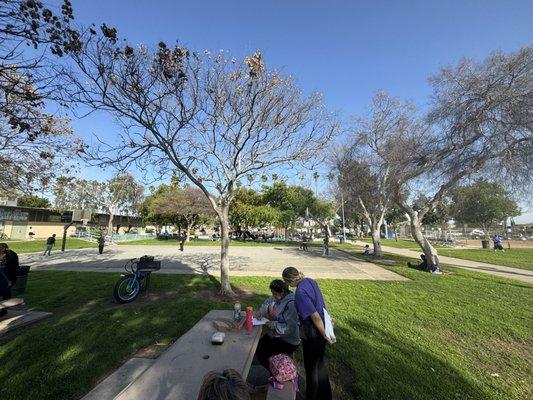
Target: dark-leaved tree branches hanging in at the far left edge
34,144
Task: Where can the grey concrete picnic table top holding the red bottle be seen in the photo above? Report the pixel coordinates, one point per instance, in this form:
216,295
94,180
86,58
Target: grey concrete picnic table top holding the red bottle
178,373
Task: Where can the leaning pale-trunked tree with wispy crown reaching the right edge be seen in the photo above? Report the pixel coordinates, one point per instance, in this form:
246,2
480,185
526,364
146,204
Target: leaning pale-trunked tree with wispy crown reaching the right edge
480,123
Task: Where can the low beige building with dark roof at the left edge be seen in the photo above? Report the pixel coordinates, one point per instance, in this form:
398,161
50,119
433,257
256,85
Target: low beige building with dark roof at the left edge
39,223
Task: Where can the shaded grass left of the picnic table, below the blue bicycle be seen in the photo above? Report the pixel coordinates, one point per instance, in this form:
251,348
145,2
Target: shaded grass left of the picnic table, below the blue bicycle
89,335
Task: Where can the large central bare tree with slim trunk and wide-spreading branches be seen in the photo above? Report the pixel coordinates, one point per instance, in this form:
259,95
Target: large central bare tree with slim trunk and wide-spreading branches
218,121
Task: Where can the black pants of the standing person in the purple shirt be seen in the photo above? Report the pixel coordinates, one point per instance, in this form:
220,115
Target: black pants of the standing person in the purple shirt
317,386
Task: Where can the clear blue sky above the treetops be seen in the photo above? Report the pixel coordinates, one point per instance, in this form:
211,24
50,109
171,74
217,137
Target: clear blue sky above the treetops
346,50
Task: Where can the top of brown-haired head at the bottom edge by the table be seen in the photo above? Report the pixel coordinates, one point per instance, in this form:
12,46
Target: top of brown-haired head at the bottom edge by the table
225,385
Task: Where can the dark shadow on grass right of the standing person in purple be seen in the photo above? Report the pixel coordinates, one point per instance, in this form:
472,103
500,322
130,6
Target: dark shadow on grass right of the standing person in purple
370,364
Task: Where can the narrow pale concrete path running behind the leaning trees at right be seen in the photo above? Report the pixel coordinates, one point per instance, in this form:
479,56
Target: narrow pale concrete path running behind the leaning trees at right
523,275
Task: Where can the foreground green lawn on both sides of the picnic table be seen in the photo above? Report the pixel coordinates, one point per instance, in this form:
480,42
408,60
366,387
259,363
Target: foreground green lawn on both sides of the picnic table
433,337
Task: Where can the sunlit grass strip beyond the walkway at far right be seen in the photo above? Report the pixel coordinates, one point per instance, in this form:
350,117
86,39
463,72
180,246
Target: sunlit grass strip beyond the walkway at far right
518,258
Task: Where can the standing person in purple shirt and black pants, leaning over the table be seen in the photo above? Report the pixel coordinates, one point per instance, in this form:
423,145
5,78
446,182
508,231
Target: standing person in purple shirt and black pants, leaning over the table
310,306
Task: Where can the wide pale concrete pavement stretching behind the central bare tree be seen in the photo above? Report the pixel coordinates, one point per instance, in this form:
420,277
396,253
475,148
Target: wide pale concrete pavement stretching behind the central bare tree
244,261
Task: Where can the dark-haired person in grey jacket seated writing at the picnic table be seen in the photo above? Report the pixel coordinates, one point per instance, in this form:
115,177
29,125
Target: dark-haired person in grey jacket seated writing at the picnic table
283,335
